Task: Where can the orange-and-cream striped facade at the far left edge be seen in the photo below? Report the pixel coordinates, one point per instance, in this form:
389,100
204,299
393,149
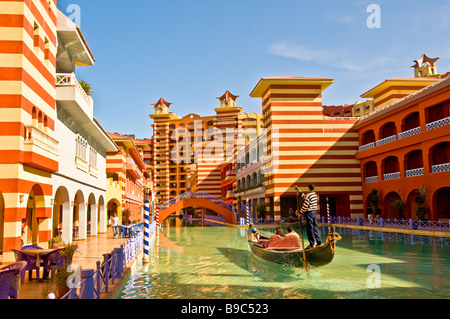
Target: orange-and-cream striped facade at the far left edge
29,151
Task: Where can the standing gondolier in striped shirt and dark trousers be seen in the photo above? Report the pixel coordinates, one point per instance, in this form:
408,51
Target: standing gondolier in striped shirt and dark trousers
309,210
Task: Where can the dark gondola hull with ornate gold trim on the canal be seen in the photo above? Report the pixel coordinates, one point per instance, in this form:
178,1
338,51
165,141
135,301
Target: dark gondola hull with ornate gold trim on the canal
315,257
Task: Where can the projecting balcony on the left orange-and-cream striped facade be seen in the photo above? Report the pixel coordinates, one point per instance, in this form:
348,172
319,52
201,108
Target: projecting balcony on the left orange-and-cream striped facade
41,144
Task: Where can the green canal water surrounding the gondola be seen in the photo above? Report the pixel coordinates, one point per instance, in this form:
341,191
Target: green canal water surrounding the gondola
197,262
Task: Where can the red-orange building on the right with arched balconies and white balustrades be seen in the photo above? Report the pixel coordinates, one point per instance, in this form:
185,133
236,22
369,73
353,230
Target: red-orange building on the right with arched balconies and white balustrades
405,145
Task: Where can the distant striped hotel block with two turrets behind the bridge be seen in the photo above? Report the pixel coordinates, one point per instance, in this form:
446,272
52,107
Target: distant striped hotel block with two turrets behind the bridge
196,146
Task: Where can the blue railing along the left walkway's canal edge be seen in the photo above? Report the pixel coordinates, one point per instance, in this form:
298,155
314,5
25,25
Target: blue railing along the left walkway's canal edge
95,282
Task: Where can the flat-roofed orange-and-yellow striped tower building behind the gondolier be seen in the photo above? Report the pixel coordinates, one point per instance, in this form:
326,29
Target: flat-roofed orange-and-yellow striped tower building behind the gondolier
303,147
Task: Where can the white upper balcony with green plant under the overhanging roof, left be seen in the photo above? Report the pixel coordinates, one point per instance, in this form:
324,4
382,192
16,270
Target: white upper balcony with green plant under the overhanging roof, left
72,97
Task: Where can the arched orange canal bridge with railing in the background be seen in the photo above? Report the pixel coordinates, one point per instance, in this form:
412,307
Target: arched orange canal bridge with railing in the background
198,199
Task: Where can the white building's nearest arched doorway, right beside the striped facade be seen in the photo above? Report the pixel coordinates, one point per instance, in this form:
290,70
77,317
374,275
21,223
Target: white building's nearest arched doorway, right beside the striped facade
61,217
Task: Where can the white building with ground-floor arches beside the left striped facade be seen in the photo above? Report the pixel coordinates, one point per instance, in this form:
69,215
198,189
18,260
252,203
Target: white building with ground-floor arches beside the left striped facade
79,185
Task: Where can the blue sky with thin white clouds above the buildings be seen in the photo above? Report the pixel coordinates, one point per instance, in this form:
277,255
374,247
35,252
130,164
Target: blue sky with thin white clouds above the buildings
191,51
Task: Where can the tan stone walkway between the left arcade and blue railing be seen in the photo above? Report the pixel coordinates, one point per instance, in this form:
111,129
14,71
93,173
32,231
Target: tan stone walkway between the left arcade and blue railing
89,252
